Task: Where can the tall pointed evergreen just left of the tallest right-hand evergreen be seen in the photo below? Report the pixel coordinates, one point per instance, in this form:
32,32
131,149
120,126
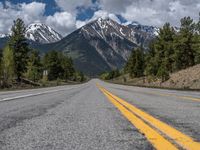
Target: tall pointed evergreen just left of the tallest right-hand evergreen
159,59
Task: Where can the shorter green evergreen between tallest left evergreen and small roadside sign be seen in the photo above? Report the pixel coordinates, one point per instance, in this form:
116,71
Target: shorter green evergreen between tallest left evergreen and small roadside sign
34,67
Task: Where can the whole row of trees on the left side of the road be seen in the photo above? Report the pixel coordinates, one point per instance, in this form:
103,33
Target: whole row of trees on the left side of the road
18,60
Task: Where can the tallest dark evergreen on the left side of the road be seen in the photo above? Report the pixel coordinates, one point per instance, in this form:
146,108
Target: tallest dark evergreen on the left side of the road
19,45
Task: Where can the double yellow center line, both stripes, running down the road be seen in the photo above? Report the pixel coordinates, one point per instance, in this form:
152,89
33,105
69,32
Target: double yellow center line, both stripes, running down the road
159,134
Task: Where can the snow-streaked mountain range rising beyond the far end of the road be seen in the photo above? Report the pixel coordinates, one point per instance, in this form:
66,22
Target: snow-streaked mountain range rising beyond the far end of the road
99,46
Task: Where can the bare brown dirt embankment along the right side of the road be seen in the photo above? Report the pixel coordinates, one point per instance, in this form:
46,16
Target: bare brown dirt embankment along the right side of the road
184,79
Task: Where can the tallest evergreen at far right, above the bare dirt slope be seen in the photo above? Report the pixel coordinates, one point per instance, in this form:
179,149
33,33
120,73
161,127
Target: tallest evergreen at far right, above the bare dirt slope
184,45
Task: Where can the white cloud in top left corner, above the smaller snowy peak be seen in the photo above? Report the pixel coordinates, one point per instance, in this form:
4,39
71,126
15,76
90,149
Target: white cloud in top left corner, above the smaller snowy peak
31,12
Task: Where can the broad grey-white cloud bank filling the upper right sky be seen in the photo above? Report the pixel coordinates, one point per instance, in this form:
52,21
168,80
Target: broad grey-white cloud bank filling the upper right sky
152,12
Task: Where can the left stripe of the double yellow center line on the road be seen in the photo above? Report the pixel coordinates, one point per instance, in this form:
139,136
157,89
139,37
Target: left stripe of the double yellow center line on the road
158,141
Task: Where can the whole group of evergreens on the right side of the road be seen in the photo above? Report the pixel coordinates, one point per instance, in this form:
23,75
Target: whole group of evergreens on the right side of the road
172,50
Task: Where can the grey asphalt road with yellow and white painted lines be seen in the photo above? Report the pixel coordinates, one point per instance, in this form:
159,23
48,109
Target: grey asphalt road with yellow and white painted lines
99,116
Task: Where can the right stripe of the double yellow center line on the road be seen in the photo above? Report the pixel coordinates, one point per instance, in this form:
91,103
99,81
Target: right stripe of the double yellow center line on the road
178,137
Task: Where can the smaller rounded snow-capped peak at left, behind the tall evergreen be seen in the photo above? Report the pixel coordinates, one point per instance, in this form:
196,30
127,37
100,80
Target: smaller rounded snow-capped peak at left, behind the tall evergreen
42,33
